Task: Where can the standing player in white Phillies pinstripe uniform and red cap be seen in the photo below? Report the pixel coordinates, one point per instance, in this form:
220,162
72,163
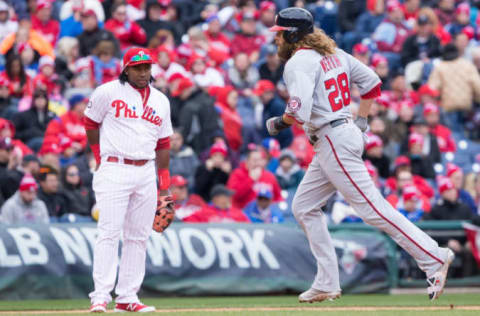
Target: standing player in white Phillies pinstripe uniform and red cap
128,128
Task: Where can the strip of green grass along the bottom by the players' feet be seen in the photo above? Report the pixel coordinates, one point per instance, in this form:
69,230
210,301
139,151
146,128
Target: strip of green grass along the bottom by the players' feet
266,301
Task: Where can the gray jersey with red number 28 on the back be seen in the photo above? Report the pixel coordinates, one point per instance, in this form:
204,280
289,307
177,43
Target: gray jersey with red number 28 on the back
319,86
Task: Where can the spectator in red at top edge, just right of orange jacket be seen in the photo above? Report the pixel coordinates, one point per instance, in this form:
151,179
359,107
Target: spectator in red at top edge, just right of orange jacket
43,23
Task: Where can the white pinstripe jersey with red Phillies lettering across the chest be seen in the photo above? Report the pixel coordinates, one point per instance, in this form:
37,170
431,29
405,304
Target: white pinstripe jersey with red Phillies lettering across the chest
129,128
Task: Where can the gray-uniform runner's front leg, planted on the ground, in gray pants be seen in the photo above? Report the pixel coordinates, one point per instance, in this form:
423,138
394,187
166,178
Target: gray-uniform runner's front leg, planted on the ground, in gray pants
312,193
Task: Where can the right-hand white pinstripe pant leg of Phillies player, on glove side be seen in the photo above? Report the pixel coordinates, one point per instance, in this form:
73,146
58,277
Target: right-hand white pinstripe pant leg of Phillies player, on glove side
137,229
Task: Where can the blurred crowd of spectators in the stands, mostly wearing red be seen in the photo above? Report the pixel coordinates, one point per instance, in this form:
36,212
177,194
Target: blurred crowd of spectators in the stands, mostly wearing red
217,63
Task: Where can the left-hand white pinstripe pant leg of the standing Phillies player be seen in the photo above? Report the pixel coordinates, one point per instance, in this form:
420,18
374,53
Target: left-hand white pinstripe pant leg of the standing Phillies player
112,201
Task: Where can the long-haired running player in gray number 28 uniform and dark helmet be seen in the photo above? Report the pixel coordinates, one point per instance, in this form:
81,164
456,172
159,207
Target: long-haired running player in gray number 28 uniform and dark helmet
318,77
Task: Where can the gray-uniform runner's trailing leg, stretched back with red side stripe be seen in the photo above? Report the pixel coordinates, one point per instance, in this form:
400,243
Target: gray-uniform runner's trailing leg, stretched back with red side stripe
341,157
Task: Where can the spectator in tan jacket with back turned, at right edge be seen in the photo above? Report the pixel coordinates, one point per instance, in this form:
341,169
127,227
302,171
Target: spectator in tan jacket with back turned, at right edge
451,75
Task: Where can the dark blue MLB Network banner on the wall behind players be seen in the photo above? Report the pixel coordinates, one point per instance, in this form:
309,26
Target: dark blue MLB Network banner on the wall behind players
187,259
